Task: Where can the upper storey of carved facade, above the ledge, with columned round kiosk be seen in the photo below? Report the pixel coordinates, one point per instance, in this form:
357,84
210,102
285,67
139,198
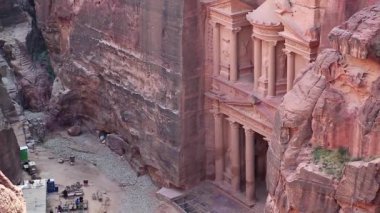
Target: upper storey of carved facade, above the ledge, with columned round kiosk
263,48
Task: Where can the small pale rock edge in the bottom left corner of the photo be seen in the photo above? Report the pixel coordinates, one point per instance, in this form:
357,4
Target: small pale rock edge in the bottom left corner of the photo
11,200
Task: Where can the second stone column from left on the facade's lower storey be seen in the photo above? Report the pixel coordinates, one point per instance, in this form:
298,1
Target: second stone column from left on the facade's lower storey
235,156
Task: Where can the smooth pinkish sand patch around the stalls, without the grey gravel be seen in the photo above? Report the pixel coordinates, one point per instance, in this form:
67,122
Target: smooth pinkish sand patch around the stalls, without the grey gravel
64,175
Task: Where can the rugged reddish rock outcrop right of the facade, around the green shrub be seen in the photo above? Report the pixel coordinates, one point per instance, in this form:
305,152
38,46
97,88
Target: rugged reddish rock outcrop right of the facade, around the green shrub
334,104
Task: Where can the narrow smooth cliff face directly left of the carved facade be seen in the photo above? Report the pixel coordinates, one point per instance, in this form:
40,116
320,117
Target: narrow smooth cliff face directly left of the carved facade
192,114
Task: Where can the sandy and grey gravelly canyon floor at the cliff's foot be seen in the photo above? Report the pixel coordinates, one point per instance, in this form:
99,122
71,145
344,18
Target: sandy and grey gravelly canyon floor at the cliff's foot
106,172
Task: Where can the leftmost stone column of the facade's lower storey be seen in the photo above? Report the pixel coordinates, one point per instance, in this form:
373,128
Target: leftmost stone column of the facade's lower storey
219,158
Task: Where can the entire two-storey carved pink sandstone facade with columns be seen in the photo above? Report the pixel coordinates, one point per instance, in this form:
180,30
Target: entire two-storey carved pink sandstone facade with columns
251,72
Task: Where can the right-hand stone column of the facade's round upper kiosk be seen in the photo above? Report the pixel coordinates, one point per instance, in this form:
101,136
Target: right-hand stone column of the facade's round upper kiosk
272,69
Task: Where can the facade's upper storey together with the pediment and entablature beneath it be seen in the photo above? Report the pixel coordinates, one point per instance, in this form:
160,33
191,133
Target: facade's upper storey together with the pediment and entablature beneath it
258,52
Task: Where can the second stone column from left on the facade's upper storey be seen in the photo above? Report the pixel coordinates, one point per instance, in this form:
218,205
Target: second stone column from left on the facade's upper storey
234,67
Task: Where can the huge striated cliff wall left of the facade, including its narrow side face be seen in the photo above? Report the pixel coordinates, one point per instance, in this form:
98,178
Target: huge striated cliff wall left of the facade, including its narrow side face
132,68
